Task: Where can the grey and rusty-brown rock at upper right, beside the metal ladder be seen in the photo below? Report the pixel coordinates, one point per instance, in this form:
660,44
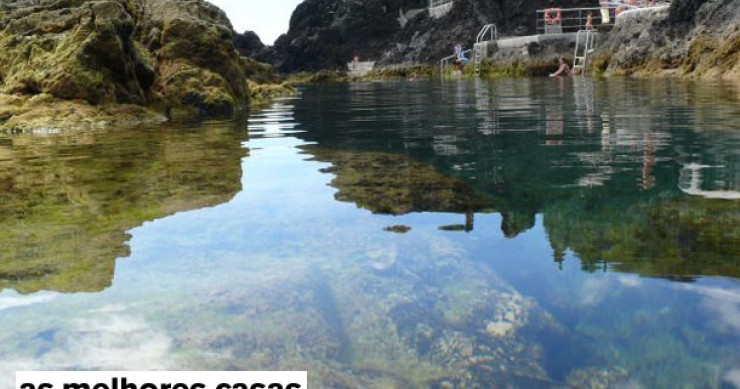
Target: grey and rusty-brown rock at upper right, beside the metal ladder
694,38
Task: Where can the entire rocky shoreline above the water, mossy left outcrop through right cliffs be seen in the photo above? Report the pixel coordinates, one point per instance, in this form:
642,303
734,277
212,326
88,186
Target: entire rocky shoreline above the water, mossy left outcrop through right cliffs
80,64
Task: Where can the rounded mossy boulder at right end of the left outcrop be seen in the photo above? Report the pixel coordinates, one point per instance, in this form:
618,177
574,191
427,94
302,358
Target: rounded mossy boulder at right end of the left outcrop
198,67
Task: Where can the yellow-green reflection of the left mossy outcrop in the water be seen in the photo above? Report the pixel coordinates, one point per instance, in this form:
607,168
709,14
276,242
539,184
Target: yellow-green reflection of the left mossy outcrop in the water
68,199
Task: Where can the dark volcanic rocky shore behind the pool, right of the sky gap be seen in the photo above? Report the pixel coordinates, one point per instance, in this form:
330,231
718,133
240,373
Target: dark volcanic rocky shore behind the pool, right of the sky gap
688,38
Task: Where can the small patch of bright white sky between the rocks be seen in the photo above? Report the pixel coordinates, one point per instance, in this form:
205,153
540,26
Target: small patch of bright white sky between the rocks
267,19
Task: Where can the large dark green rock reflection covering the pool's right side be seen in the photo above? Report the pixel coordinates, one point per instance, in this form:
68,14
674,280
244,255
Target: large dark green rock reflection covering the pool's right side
613,190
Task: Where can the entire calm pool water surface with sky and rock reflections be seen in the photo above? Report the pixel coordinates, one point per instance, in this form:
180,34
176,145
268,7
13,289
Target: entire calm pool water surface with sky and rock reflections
516,234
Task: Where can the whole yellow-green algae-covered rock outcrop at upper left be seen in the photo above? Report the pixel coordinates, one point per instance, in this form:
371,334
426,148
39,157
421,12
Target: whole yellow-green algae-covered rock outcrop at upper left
174,56
